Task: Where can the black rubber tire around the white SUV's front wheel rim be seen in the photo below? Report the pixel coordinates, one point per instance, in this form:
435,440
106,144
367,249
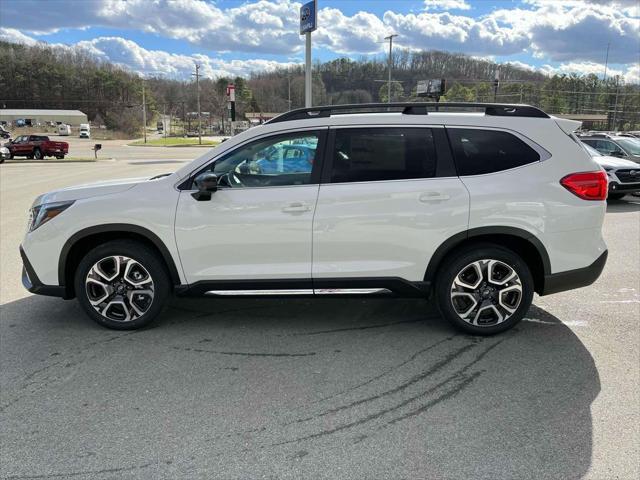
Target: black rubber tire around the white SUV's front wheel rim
145,257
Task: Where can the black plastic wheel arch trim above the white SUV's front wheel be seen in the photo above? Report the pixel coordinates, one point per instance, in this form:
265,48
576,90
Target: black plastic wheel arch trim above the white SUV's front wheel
84,240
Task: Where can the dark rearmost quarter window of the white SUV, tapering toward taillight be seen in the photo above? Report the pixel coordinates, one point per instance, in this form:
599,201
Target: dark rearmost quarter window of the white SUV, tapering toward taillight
480,151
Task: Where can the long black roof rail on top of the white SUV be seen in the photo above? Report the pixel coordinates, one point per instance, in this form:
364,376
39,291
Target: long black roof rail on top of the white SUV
409,108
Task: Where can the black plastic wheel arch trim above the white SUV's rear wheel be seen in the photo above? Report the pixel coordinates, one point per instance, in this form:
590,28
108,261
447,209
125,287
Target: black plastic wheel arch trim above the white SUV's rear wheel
522,242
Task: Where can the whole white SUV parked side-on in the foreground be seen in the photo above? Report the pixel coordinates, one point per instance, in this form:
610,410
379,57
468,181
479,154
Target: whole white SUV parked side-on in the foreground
478,208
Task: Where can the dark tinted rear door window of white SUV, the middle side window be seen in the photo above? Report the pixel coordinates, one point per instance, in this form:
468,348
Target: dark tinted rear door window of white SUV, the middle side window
374,154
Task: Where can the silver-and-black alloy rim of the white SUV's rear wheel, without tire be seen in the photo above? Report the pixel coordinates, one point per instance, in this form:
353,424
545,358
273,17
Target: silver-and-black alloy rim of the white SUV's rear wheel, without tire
486,292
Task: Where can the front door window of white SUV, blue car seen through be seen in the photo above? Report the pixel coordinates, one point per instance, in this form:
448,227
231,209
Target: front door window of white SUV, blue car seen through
275,161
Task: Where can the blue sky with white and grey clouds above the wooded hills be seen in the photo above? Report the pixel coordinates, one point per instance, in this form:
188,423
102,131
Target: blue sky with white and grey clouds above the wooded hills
233,37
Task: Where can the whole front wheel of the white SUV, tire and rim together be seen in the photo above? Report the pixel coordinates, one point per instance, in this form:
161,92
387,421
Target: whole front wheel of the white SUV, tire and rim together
122,284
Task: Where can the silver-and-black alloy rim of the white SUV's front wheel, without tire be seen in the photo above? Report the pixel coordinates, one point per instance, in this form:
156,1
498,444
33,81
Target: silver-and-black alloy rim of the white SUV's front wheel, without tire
119,288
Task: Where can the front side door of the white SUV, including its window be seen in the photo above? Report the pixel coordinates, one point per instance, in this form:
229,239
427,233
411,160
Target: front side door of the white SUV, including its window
257,226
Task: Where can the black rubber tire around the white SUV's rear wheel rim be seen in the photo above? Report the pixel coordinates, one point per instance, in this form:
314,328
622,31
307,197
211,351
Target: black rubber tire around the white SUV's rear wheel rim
457,262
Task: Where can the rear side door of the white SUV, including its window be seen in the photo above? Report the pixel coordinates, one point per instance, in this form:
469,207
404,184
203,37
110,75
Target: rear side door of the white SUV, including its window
389,198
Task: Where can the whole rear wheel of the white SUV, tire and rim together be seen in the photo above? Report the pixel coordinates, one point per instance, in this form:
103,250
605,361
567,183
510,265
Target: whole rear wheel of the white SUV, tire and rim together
484,289
